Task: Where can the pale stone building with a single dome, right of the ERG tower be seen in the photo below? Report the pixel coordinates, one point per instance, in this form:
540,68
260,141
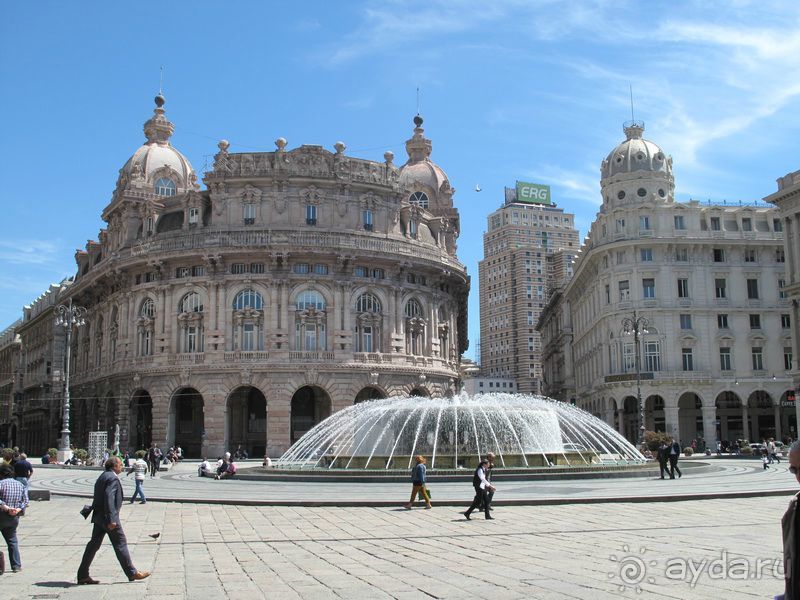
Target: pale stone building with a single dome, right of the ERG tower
715,352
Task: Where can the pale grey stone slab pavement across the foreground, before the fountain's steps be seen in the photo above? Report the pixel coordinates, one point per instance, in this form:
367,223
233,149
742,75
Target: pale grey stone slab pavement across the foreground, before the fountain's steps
601,551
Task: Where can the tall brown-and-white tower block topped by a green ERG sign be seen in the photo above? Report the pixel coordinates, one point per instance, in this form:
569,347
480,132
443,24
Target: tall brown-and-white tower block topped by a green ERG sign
528,250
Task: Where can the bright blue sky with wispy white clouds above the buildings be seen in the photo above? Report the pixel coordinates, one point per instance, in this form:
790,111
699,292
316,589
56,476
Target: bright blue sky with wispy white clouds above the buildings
510,89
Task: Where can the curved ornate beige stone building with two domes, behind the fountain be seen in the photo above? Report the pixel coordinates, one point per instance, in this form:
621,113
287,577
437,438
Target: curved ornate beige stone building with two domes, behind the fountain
299,282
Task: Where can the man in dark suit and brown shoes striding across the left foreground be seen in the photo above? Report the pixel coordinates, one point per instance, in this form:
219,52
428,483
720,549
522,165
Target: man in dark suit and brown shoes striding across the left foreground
105,518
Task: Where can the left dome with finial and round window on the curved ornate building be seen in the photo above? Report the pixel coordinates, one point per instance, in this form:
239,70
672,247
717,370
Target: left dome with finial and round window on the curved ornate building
156,158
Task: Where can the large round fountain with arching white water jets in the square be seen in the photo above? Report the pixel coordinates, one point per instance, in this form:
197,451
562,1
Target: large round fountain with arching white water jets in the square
523,431
